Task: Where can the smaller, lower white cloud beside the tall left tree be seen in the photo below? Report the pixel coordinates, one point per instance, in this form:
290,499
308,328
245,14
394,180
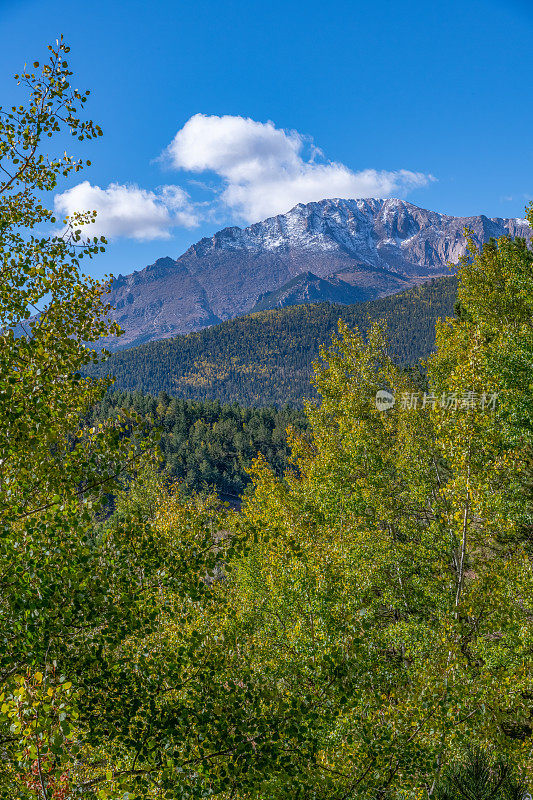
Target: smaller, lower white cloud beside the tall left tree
129,210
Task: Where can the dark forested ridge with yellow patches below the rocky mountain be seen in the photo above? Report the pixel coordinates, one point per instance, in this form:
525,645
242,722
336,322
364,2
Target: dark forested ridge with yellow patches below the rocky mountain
267,357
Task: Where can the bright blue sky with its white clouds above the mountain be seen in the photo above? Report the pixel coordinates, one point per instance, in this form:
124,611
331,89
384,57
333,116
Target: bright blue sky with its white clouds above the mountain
256,106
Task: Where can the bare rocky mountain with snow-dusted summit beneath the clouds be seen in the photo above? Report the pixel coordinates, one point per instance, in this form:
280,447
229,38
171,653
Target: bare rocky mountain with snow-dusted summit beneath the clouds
367,248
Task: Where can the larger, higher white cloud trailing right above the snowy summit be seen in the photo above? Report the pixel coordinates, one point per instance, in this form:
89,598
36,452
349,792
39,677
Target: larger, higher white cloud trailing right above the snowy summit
266,170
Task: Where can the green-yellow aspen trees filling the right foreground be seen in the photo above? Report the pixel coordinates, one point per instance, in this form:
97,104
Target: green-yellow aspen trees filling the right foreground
385,587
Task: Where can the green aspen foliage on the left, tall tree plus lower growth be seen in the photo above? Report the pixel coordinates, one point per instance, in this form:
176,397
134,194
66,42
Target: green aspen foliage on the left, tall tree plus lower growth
115,681
